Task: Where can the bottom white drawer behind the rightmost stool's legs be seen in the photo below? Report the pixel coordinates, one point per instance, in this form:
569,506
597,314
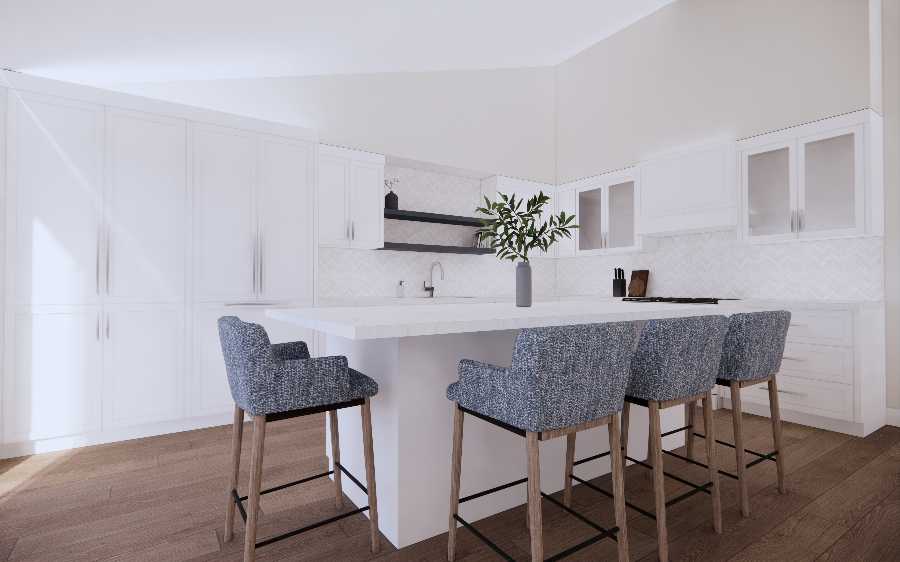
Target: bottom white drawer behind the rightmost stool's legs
830,400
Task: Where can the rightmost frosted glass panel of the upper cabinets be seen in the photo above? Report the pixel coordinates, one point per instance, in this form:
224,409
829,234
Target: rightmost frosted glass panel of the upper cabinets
829,184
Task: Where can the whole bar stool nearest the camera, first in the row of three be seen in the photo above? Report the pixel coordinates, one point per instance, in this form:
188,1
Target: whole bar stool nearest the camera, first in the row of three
562,380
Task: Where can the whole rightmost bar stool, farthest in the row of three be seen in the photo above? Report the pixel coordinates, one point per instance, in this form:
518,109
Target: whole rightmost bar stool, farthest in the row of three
754,347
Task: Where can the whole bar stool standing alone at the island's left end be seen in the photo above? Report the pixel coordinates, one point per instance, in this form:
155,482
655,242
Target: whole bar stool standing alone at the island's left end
279,382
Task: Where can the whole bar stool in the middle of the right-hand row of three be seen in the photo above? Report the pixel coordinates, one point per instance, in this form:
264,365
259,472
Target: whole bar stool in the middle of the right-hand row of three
675,363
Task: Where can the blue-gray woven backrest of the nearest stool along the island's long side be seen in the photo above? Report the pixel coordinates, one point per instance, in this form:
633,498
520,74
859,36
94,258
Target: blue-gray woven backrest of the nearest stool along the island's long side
575,374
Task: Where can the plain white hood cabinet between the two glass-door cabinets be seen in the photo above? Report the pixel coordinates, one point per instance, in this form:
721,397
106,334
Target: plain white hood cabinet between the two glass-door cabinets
689,190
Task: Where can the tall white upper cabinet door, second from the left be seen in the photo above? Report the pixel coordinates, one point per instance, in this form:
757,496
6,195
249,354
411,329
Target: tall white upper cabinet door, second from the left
147,204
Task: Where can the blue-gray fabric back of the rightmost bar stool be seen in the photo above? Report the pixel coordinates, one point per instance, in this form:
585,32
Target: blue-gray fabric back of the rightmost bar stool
754,345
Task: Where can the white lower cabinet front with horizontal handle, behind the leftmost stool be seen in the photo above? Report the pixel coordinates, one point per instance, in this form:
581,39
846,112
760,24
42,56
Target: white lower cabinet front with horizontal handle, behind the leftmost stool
210,393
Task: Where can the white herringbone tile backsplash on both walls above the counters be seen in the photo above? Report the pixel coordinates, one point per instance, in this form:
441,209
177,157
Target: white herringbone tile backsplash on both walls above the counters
705,264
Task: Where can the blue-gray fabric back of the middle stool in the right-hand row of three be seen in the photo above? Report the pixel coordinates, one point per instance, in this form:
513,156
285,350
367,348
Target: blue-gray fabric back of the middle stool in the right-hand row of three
677,357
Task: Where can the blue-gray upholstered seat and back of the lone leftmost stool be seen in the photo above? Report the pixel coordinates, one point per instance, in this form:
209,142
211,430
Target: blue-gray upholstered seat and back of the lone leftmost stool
266,379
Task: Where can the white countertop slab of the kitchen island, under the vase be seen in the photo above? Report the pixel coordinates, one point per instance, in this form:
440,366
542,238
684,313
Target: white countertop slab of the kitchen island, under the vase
407,320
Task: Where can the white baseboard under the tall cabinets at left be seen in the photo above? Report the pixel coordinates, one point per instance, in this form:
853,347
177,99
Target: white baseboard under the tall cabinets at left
22,448
